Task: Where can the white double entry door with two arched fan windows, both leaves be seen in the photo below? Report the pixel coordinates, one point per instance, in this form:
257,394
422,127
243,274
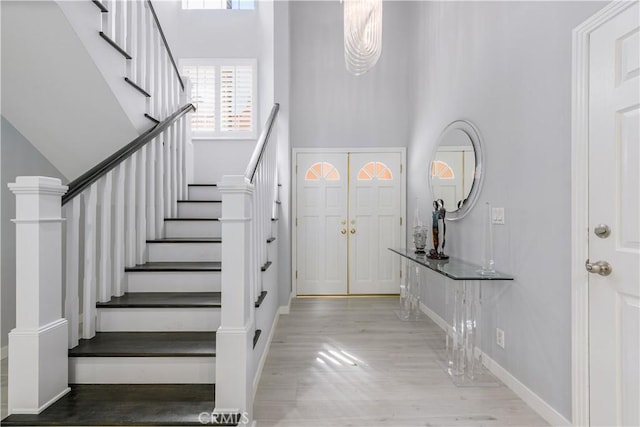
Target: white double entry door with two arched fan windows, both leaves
348,213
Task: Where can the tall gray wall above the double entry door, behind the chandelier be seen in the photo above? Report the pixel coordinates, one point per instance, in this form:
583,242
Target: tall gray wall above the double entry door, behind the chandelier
329,106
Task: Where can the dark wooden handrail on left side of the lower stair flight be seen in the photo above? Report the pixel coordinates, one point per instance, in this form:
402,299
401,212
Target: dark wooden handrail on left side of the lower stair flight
92,175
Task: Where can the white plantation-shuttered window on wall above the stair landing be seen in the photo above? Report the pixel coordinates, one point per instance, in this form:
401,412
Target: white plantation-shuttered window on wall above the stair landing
224,93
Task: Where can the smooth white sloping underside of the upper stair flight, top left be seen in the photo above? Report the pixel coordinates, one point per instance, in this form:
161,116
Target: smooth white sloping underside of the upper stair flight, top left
53,92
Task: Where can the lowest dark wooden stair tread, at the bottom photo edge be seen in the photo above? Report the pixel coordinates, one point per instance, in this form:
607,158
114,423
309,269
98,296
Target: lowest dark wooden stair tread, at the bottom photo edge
127,404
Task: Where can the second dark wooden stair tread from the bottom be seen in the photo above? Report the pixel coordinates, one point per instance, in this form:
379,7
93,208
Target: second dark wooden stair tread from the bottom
147,344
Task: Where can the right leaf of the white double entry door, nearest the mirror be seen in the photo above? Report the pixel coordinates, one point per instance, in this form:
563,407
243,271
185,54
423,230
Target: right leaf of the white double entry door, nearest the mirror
375,185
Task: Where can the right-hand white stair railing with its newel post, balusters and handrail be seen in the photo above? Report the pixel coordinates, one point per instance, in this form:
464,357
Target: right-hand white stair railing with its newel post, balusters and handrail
247,212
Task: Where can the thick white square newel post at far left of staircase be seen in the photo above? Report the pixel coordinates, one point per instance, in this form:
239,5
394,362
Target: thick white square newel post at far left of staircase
38,367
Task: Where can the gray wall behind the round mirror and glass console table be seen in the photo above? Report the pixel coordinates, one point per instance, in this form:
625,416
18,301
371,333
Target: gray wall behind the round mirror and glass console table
506,66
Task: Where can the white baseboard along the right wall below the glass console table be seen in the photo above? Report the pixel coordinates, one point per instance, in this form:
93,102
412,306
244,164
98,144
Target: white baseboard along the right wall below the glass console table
534,401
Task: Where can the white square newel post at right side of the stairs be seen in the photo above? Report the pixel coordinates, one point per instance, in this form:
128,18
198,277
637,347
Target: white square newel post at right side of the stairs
234,385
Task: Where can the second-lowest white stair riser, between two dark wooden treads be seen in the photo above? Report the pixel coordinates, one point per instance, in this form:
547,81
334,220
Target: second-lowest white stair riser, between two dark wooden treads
158,319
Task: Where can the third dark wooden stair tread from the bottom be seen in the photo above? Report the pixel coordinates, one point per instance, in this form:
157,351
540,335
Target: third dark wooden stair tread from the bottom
164,300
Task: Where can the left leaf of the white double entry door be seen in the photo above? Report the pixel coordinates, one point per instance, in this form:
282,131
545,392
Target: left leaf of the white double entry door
321,217
